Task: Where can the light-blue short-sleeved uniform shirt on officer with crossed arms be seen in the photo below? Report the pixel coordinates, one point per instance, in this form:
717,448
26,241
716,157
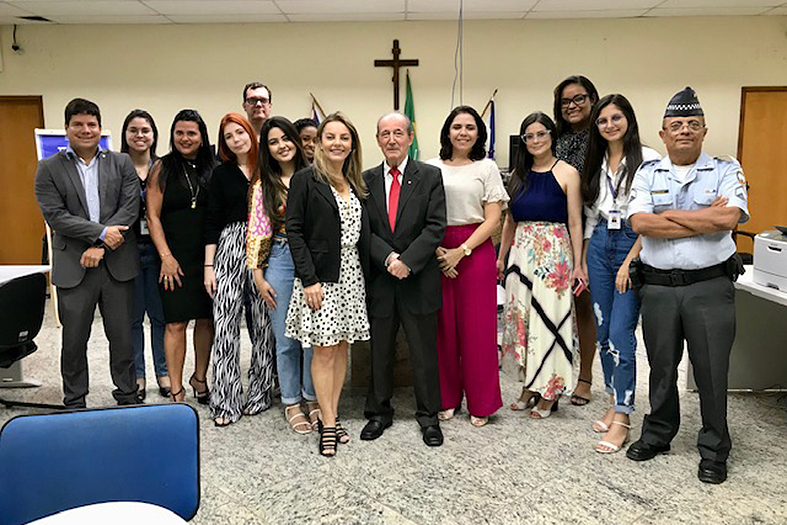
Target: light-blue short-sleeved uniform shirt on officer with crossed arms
656,188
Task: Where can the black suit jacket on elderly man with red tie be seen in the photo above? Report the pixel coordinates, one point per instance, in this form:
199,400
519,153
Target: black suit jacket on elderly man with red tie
420,225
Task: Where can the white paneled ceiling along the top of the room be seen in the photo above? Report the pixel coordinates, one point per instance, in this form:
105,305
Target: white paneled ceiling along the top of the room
255,11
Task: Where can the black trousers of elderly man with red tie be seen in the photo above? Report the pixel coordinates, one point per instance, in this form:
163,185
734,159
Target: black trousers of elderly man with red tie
421,334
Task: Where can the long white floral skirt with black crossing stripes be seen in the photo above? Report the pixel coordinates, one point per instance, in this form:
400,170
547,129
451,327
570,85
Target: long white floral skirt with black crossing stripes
540,344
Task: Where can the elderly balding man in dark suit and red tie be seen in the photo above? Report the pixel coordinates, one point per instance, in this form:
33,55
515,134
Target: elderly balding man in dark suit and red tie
407,215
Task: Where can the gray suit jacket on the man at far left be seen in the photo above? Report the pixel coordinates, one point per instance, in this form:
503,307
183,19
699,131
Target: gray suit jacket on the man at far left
61,197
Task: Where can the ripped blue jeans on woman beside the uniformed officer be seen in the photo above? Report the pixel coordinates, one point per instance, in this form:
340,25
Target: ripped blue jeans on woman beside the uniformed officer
616,313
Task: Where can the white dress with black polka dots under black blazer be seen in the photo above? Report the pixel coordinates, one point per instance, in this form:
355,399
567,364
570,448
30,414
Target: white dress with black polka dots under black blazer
342,316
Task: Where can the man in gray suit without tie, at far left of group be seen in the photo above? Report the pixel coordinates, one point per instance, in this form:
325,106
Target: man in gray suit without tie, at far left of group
90,197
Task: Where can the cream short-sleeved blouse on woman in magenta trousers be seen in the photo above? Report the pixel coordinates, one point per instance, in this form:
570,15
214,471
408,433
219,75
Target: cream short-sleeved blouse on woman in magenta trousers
468,188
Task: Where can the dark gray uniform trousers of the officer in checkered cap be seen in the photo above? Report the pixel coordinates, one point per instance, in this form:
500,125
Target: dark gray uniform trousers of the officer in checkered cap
702,314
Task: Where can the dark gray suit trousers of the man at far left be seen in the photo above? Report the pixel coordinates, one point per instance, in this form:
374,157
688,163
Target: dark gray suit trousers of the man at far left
76,306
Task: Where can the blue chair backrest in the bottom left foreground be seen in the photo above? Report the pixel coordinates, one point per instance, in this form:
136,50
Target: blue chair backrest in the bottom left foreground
54,462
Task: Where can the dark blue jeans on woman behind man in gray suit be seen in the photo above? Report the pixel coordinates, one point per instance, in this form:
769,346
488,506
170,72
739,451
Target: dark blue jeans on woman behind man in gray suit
147,299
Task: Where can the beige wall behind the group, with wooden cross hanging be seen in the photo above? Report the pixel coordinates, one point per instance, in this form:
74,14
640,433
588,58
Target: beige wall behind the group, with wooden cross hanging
166,68
